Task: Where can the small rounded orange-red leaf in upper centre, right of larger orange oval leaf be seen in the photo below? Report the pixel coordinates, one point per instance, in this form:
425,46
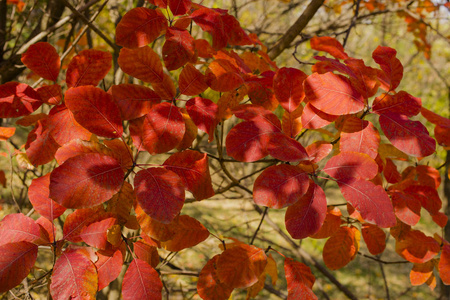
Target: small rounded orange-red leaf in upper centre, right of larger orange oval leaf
192,81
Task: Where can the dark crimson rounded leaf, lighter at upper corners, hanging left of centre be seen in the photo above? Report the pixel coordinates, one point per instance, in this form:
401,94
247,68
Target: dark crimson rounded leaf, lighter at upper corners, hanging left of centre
160,193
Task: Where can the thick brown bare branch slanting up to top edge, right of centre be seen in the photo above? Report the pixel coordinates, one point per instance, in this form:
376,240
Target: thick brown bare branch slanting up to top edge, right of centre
295,29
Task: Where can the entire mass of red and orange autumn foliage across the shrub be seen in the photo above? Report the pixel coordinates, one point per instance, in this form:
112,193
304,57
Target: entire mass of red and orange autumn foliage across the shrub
96,135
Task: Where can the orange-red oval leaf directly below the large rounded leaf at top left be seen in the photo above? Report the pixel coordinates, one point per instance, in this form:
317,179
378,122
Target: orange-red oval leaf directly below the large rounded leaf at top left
142,63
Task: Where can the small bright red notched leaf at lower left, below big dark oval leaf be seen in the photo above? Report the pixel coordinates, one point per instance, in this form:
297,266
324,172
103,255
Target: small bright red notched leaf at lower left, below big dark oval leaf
94,234
